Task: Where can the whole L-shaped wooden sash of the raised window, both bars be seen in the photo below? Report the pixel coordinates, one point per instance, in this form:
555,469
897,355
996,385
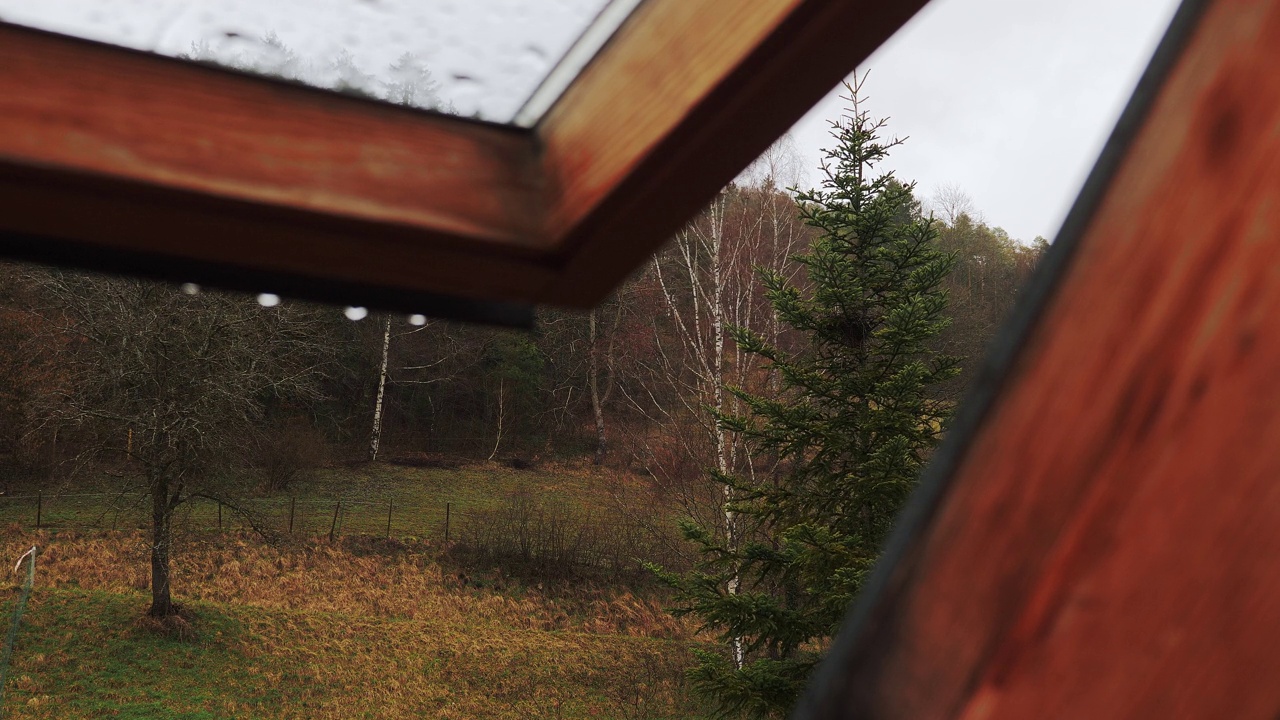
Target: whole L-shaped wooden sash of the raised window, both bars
130,162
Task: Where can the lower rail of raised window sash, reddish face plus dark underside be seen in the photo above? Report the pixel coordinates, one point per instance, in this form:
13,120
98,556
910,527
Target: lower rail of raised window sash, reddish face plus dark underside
212,166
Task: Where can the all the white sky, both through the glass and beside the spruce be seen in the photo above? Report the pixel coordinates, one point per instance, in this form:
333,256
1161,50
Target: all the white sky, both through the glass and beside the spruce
1011,101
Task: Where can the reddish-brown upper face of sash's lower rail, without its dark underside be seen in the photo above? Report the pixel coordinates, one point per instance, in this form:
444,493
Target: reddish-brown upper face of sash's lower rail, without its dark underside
106,111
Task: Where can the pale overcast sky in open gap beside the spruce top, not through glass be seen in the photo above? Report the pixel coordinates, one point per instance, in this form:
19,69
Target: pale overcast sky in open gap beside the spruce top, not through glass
1011,101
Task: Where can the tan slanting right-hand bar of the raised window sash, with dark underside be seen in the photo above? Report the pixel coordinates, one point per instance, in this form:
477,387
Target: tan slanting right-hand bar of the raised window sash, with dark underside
684,98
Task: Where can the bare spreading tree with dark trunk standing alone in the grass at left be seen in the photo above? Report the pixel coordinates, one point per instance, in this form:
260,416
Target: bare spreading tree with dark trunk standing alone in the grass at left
175,382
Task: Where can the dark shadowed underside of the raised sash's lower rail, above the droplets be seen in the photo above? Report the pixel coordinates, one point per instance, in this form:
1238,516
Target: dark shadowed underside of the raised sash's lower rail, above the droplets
209,240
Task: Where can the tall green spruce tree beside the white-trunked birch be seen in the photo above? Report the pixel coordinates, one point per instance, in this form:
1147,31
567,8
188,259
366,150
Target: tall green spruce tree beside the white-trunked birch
839,452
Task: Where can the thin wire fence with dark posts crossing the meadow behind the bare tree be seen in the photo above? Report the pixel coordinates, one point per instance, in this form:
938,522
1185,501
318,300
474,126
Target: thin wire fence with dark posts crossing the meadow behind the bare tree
551,540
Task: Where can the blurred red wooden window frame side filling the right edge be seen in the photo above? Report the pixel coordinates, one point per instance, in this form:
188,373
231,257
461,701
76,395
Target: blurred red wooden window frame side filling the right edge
1110,543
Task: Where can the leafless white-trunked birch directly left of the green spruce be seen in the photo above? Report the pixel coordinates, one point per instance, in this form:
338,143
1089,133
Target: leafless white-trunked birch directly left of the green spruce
710,281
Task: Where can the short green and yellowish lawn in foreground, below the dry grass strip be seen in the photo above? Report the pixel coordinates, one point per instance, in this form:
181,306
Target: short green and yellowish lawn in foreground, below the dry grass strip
85,654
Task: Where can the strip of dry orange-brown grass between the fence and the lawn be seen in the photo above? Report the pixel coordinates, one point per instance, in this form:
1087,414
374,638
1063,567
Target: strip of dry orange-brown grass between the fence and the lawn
364,577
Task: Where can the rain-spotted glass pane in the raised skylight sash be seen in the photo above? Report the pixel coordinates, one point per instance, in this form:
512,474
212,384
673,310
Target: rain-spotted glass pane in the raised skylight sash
476,58
